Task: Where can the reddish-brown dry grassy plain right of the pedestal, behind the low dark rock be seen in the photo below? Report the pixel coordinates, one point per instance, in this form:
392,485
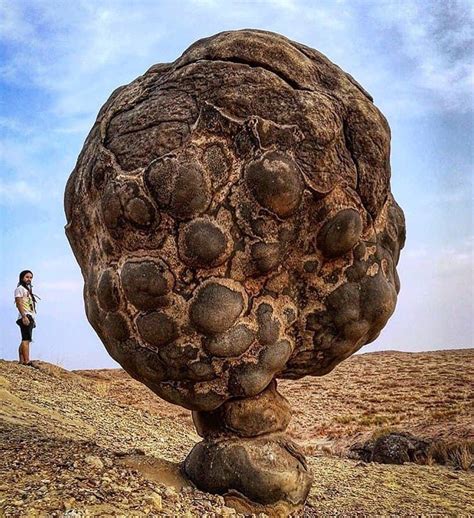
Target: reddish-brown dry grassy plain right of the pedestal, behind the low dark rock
427,394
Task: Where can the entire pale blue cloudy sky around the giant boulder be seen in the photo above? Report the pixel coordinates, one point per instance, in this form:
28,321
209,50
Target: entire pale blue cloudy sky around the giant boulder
59,61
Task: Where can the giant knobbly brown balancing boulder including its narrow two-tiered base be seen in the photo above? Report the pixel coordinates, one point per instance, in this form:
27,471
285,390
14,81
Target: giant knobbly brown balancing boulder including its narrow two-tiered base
232,216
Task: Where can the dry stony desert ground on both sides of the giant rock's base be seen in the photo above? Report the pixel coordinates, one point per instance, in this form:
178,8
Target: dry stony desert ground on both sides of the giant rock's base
97,443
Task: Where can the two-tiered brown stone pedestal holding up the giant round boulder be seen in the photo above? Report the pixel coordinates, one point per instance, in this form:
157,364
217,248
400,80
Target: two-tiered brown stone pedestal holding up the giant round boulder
246,456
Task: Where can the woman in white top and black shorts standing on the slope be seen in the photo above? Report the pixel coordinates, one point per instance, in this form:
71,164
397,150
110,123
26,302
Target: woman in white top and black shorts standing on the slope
26,303
